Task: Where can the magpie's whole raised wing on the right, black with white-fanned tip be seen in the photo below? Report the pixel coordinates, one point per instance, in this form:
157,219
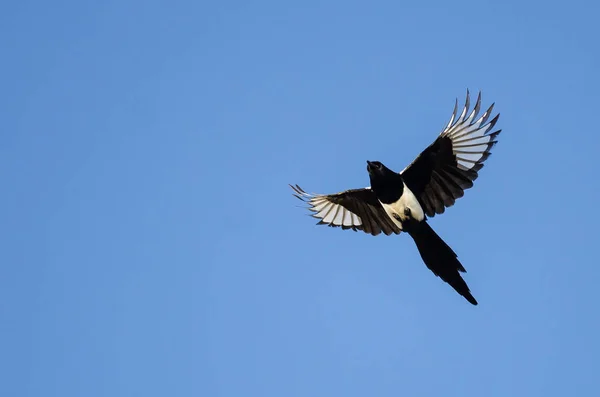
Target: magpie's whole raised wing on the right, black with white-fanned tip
450,165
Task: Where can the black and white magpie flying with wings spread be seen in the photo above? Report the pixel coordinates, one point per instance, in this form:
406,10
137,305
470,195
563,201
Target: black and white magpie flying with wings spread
401,202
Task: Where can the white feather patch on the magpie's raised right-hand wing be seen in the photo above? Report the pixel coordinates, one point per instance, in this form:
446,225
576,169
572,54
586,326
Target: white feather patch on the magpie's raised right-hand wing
471,143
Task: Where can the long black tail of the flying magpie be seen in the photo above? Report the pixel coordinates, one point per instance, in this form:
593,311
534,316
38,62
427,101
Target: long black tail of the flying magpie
439,257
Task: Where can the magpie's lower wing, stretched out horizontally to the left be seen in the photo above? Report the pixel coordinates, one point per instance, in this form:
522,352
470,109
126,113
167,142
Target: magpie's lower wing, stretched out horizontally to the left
356,209
